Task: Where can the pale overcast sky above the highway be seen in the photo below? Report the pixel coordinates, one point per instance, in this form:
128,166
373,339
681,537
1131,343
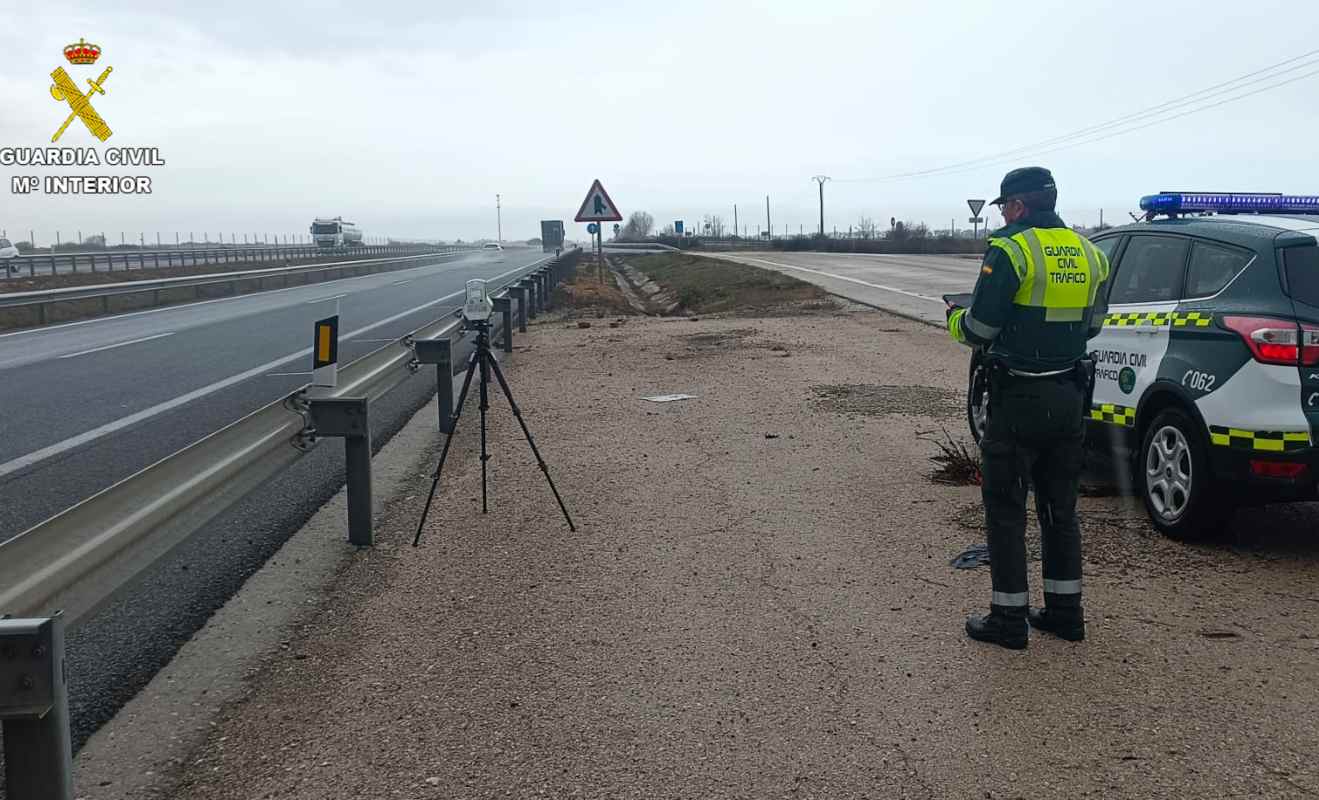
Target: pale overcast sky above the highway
408,118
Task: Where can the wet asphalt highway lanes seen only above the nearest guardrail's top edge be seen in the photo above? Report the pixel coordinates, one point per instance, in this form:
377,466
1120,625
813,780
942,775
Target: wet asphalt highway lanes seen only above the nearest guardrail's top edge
88,404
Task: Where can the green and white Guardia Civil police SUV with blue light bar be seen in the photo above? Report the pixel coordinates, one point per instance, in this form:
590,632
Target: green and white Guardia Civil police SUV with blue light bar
1208,368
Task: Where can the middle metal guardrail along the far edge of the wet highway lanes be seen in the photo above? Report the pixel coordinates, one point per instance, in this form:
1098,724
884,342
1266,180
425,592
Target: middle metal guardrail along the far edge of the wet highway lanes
46,300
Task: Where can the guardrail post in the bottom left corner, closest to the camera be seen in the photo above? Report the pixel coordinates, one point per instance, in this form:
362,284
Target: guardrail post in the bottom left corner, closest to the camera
35,710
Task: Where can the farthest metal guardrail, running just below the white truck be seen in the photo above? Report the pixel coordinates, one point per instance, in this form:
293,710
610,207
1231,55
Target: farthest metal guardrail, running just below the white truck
184,256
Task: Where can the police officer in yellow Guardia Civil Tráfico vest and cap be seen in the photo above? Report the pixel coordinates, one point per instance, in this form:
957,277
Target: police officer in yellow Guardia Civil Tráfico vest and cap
1039,301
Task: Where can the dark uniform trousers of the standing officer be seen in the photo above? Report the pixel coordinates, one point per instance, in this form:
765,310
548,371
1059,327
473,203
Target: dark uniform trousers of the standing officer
1033,436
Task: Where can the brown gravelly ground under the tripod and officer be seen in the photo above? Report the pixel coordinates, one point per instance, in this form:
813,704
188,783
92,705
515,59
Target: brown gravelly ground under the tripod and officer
759,604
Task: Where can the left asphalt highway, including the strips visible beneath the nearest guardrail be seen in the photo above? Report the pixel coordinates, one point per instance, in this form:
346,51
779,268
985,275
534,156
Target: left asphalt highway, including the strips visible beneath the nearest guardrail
88,404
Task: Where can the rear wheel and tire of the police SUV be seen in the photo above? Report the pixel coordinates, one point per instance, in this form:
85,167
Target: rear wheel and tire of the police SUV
1172,470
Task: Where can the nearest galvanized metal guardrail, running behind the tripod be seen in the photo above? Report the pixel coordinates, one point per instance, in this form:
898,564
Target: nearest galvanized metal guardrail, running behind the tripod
76,561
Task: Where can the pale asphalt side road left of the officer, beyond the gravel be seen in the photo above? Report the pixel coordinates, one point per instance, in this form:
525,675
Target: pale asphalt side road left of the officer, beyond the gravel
908,285
